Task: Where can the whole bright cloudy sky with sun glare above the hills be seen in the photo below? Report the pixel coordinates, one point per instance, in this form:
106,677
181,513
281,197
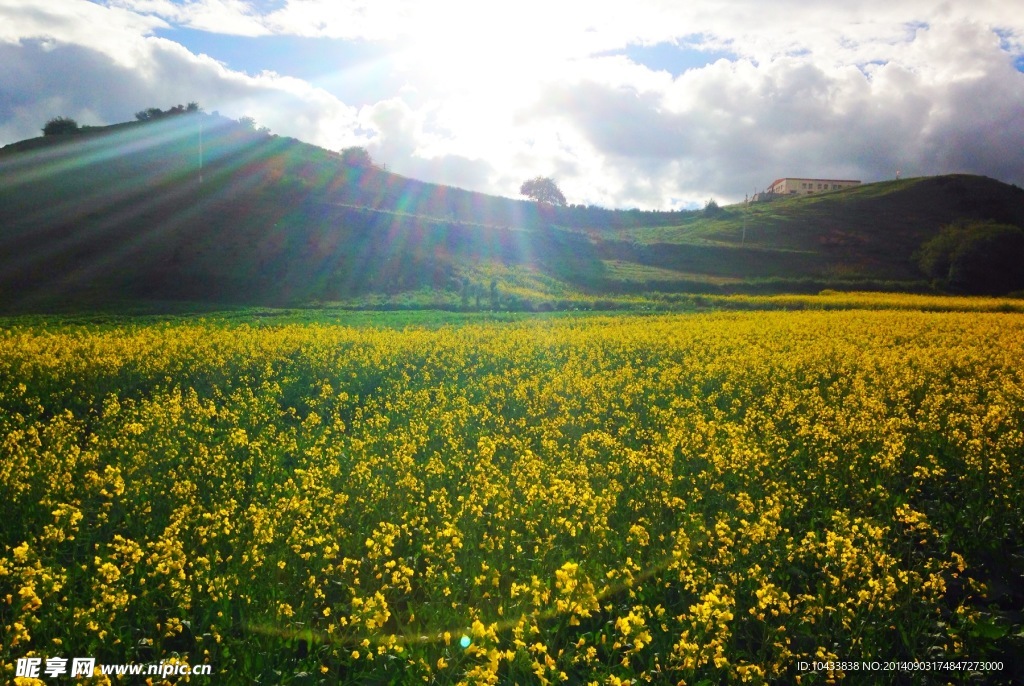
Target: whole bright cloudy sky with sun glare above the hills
647,104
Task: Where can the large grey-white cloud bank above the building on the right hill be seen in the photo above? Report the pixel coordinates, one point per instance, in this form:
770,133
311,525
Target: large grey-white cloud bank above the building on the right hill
730,128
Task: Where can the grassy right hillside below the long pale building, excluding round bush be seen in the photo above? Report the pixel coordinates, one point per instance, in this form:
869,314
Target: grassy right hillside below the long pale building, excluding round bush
869,233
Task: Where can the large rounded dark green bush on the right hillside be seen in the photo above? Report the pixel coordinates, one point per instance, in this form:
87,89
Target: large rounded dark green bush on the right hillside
979,258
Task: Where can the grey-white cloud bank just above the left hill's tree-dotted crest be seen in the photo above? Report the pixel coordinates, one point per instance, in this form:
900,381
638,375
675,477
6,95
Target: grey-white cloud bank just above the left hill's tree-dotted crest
65,62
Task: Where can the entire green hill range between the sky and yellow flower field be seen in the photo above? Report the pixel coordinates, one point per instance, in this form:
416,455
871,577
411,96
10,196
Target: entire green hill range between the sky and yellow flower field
201,208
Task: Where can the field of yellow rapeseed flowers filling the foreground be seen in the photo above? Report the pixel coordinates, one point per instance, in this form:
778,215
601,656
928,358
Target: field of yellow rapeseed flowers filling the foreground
696,499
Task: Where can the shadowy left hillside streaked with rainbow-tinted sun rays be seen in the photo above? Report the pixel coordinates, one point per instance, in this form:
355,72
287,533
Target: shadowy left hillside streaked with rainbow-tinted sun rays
151,211
